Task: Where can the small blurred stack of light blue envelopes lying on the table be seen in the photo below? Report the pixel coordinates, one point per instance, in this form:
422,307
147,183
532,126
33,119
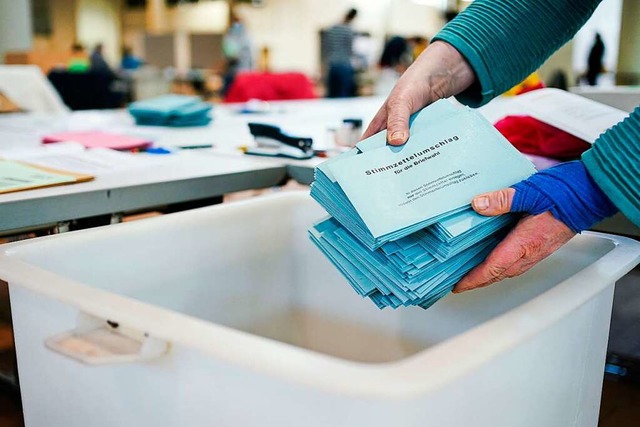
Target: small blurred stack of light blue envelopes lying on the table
171,110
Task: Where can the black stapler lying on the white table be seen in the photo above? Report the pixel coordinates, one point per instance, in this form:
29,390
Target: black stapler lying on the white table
271,141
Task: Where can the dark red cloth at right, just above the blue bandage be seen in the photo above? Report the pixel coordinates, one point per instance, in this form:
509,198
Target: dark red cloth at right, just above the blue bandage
532,136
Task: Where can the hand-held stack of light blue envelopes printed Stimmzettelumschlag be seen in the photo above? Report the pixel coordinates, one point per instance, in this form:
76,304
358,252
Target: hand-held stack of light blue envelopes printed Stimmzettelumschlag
401,229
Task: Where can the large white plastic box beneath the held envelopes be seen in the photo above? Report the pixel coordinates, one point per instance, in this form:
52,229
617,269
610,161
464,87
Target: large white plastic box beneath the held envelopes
228,316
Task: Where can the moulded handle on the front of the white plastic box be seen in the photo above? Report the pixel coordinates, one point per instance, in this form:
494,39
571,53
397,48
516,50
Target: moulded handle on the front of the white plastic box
97,341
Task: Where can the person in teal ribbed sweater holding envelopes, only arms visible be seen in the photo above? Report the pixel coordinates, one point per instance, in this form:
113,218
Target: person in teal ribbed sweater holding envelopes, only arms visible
480,54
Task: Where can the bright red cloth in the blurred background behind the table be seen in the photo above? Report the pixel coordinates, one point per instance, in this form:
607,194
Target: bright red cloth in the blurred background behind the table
270,87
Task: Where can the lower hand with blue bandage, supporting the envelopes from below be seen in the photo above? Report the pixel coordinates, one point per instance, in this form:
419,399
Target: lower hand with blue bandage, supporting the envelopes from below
562,201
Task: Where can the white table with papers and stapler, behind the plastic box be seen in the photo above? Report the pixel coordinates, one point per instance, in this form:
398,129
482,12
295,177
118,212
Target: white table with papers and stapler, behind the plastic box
185,175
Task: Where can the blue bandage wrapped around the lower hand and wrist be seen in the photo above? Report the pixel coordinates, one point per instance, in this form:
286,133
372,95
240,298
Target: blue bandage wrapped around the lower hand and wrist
568,192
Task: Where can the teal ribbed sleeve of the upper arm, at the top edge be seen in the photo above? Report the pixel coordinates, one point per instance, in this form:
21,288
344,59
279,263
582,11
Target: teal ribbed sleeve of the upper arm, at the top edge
506,40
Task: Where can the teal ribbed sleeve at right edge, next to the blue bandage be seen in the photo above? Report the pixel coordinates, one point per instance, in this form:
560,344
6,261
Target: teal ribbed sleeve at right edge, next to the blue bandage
614,164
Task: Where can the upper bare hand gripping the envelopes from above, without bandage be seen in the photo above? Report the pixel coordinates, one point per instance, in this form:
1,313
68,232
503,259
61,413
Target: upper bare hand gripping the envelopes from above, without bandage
439,72
